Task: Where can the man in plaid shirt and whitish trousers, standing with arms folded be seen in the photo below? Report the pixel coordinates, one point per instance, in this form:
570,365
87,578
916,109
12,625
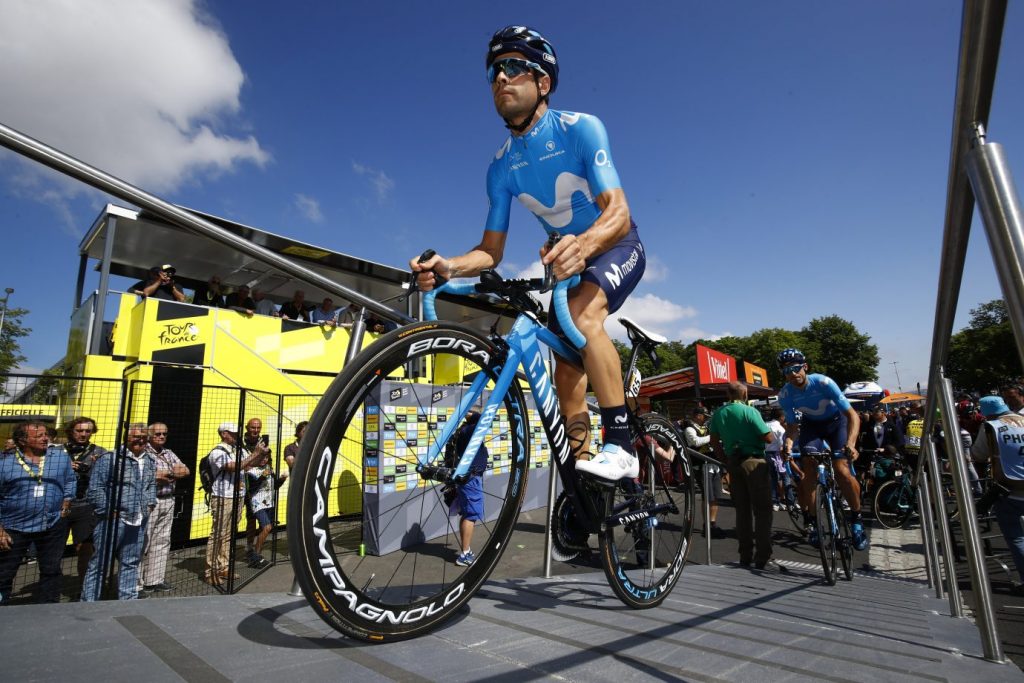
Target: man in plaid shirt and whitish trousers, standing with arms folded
158,532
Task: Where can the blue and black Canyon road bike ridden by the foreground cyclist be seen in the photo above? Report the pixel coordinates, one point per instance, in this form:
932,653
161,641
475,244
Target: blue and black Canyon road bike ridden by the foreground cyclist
386,571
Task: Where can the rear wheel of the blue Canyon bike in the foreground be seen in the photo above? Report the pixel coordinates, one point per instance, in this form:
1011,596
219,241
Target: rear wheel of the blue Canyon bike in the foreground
643,563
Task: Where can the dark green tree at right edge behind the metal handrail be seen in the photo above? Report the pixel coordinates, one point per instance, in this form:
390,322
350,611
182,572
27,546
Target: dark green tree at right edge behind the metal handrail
984,355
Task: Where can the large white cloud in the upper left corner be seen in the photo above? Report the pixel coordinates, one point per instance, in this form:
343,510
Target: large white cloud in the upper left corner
138,89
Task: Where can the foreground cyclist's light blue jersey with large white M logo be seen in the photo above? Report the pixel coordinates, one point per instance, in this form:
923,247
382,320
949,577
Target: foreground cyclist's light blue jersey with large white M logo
557,172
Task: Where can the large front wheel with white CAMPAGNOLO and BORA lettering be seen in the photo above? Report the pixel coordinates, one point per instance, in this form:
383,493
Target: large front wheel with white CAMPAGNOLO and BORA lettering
394,593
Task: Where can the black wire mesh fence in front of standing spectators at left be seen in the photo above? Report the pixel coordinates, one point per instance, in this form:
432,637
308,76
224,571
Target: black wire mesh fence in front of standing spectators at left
180,543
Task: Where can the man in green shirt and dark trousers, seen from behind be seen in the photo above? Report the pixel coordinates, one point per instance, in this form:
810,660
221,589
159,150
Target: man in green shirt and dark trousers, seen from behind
739,436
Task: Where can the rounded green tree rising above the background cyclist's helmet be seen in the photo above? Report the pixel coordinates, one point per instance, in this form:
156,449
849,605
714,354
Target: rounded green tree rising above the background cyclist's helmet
835,348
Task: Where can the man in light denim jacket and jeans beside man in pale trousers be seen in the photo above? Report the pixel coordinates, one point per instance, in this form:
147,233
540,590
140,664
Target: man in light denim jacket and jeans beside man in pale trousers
123,491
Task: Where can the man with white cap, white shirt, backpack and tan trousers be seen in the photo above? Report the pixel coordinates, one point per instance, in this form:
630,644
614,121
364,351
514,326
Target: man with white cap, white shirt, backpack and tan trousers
226,502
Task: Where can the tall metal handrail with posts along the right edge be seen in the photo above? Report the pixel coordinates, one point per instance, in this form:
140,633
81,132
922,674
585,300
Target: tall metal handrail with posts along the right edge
974,170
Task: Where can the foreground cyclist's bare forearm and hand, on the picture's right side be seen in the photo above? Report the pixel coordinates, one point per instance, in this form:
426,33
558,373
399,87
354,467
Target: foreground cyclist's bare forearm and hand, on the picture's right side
571,254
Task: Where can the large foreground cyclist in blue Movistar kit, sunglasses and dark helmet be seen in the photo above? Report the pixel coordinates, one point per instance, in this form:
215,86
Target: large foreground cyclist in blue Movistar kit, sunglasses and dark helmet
559,165
